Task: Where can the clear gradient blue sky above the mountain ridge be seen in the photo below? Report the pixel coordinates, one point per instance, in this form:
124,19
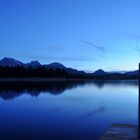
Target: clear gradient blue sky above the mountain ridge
83,34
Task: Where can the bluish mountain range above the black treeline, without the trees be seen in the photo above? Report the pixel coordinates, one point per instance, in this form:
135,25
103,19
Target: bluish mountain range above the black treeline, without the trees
11,62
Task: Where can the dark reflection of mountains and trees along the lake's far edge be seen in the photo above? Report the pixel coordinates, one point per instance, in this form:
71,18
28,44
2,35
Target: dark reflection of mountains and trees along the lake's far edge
11,90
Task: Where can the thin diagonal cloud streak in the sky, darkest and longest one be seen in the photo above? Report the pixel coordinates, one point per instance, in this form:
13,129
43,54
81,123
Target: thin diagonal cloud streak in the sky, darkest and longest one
98,47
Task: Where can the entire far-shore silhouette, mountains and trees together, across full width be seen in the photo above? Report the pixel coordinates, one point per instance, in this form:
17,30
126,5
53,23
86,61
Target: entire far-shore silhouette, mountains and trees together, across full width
10,67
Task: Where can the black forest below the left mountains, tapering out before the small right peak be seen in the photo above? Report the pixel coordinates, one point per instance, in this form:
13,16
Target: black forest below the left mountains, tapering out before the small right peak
41,72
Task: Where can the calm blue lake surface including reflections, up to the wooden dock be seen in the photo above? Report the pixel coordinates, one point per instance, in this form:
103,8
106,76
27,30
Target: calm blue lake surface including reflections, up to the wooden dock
65,110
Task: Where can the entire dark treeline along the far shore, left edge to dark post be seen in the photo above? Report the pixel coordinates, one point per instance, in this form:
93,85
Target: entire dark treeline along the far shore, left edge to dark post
44,72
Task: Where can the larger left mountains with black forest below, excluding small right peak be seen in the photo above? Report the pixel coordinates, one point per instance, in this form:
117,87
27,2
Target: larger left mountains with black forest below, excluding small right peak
13,68
